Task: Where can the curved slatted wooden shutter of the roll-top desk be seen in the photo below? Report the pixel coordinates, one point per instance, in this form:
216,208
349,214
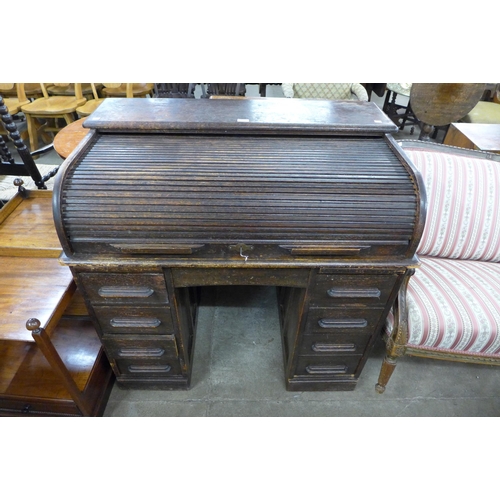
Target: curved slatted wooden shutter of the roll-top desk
221,189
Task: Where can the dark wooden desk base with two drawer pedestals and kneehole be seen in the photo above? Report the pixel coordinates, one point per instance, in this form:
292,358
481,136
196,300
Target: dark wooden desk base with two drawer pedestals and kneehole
329,318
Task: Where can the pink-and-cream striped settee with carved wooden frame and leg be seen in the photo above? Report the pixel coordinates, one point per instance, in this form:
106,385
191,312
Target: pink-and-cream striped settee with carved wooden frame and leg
450,308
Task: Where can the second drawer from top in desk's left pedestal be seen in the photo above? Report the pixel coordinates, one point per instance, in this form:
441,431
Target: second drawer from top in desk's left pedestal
134,320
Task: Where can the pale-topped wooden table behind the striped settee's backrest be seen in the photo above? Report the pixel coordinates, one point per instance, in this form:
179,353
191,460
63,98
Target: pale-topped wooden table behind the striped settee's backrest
481,136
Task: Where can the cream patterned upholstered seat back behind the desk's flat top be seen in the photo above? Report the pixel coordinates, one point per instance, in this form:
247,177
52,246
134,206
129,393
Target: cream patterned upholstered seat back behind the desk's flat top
335,91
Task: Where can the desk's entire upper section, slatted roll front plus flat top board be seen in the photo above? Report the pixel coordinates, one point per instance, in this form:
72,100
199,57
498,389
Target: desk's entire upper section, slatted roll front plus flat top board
270,179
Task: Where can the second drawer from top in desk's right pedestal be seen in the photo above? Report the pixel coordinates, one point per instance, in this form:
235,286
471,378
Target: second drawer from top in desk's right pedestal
343,320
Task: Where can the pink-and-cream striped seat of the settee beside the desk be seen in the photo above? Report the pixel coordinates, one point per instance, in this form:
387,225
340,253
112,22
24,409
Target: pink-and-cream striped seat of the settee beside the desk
454,306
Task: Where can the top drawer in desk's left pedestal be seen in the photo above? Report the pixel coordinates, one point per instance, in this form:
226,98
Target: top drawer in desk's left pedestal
114,288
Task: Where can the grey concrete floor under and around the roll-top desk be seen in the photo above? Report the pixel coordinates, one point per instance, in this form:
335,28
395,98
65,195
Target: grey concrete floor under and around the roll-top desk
238,369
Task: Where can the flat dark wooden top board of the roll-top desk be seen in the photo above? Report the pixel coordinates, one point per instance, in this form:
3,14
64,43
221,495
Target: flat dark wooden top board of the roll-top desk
241,116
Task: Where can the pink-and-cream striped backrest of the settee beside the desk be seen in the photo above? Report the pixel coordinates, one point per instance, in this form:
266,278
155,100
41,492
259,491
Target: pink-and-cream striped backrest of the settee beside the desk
463,206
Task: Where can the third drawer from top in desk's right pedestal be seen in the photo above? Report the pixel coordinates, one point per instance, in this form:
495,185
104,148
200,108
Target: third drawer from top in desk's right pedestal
334,344
